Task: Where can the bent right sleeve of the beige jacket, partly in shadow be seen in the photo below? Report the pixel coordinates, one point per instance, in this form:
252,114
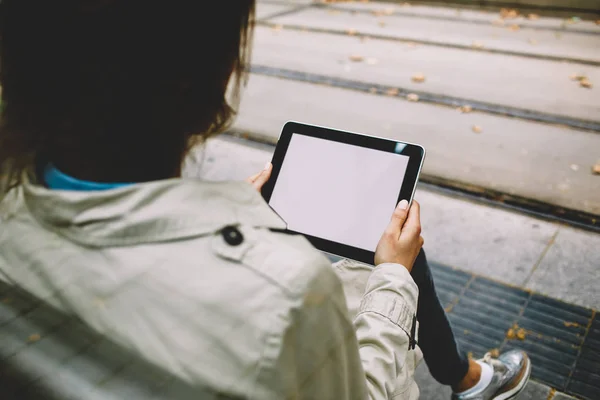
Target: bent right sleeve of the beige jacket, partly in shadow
337,358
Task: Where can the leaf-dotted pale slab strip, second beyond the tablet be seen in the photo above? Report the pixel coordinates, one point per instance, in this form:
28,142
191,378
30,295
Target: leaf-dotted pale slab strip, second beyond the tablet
531,84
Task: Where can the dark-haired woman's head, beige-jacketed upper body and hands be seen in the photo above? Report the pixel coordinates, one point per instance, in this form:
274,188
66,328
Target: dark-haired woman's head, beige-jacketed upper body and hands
102,101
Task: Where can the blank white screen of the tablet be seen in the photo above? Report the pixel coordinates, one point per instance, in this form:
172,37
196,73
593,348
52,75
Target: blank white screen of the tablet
339,192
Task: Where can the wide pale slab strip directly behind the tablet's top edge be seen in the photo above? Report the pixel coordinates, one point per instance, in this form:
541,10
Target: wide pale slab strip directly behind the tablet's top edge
519,157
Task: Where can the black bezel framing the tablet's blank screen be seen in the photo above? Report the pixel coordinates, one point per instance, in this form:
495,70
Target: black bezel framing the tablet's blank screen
415,153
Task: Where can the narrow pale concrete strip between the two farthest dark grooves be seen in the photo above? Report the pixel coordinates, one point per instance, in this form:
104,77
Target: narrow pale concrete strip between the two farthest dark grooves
457,33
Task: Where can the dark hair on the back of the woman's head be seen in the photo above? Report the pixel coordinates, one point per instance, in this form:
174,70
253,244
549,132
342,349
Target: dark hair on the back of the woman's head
117,86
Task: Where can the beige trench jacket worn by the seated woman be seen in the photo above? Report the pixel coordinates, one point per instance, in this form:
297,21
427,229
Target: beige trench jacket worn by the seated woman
267,318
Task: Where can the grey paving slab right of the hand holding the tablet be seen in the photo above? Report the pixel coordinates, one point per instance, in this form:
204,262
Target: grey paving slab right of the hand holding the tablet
483,240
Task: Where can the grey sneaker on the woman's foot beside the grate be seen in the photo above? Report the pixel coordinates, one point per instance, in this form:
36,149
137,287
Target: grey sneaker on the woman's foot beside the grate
511,374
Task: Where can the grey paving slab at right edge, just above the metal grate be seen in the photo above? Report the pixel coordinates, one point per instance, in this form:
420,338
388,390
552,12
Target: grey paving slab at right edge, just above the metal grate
570,269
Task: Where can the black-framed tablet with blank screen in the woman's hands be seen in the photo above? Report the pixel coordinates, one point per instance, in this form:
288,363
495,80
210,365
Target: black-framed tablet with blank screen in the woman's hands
339,189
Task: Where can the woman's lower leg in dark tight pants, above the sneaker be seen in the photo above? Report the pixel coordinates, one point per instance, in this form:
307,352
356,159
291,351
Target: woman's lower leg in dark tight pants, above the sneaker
447,364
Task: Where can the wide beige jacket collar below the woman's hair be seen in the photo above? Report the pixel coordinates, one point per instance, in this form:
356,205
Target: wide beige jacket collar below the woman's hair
148,212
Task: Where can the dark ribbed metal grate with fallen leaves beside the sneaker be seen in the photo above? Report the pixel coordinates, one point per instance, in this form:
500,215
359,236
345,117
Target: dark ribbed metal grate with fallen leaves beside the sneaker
561,339
